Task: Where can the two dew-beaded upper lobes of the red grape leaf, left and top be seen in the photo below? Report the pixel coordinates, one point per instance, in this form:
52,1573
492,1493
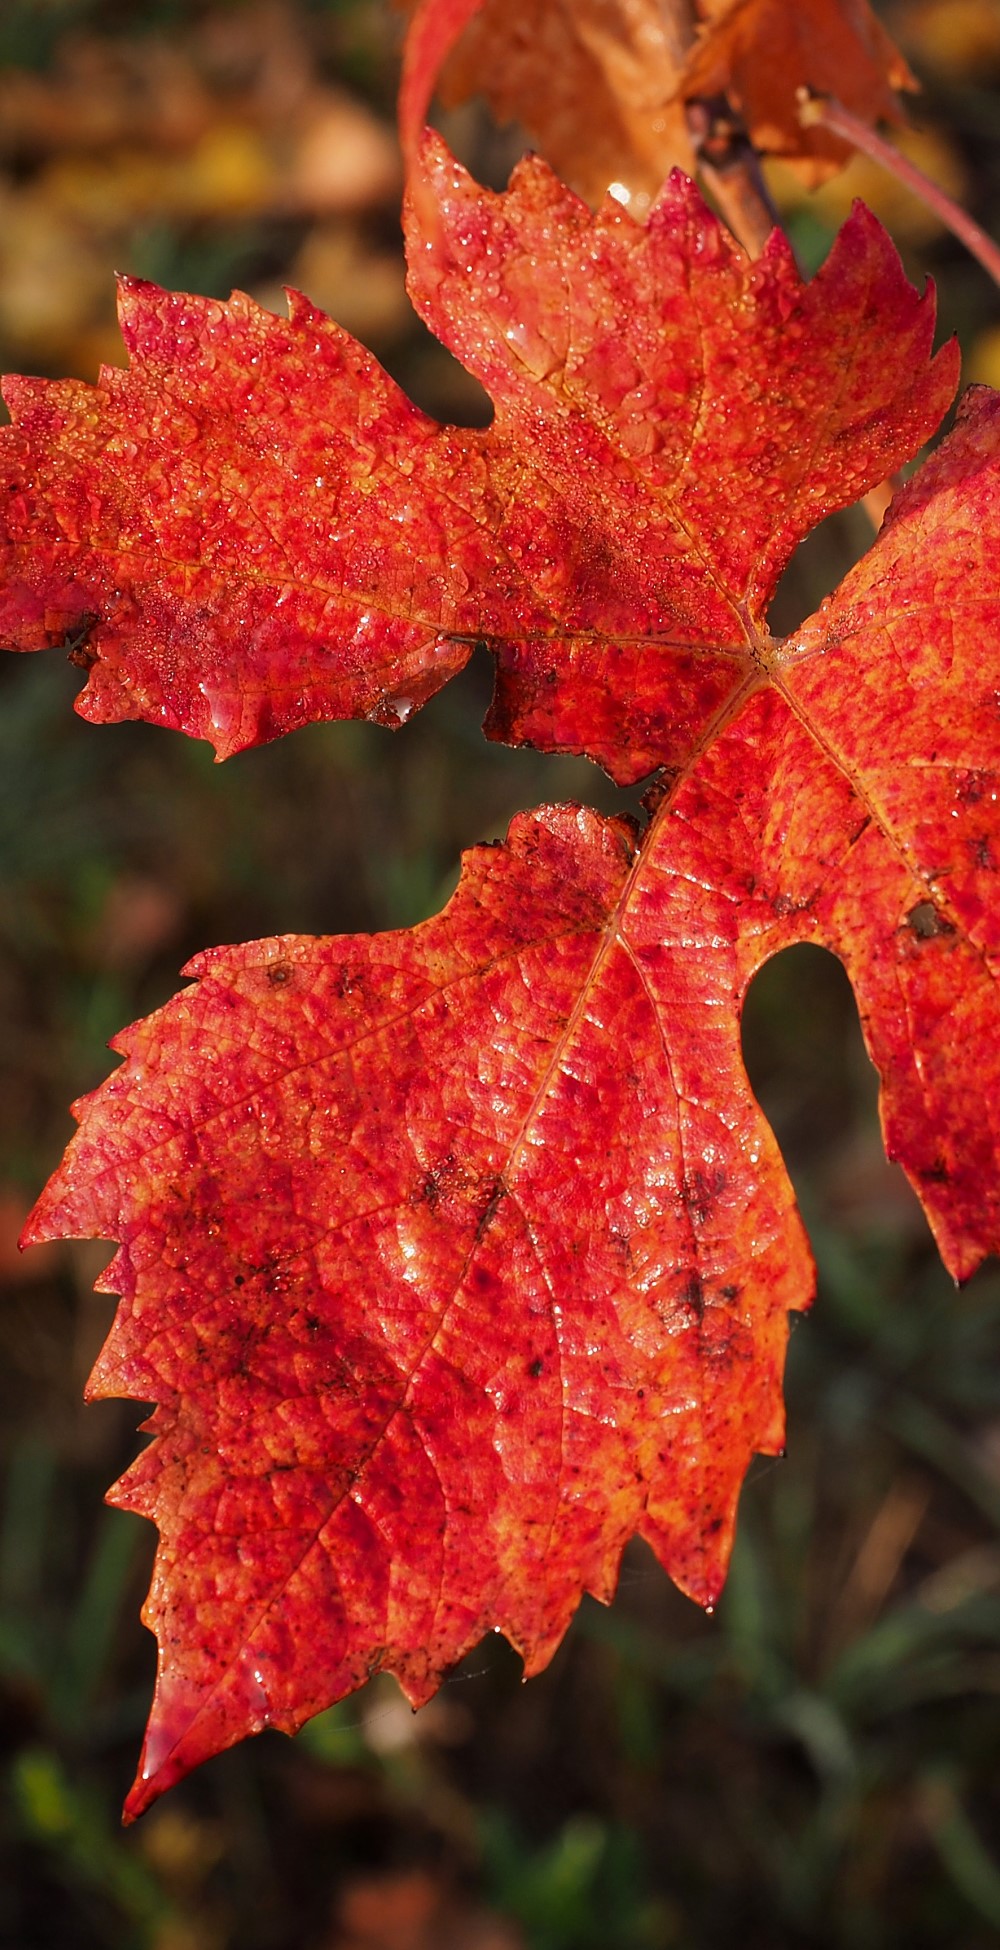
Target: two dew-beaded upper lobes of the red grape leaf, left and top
254,529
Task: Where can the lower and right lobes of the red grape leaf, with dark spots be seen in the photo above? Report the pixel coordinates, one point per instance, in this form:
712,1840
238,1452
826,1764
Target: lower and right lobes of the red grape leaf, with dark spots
455,1257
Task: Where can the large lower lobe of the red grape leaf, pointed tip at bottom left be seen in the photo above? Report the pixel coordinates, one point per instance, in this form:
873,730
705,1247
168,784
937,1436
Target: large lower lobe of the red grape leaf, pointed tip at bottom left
406,1267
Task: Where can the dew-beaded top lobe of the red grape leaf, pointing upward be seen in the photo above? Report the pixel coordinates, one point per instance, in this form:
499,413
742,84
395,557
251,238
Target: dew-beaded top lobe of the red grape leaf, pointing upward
681,420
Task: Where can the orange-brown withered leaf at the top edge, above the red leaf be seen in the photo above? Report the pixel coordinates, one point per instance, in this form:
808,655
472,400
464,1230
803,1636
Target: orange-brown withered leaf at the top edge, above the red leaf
603,85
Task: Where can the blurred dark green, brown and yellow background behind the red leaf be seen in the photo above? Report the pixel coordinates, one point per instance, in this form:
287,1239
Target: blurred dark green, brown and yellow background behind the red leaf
820,1762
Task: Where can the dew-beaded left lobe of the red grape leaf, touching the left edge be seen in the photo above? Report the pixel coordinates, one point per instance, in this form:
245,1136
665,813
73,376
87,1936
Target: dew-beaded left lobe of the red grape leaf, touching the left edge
249,483
